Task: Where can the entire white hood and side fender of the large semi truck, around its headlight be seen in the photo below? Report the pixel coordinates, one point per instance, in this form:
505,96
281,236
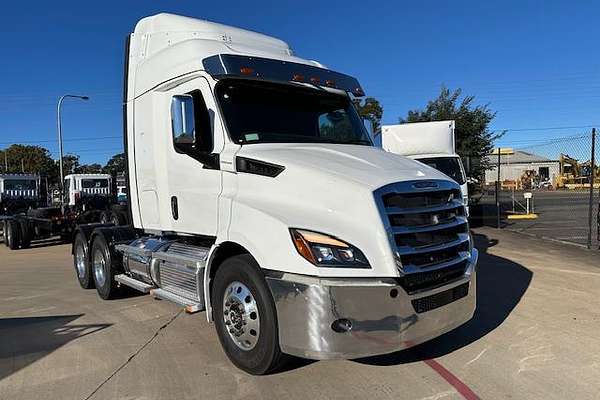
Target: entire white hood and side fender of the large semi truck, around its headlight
324,188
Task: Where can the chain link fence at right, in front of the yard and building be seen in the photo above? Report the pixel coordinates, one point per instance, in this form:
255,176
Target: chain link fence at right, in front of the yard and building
550,189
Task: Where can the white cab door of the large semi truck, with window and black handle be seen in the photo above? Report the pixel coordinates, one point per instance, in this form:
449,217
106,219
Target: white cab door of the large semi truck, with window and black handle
193,174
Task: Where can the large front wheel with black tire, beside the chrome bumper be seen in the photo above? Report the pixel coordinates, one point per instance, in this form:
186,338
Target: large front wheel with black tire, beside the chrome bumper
261,353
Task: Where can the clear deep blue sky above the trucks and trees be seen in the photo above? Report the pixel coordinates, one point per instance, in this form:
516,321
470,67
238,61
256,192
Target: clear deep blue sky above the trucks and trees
536,63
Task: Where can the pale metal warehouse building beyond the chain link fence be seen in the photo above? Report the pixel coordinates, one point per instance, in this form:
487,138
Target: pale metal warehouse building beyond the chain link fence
513,166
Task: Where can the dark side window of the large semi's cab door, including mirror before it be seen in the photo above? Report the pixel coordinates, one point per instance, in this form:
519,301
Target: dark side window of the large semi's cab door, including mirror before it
190,124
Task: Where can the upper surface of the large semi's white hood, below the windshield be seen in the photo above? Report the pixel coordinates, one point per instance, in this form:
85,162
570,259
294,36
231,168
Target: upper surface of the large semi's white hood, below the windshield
365,165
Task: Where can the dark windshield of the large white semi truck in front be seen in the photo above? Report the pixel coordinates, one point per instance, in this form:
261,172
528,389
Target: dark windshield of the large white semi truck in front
263,112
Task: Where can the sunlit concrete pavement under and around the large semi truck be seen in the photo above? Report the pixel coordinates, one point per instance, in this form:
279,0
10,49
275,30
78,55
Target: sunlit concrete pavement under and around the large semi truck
535,335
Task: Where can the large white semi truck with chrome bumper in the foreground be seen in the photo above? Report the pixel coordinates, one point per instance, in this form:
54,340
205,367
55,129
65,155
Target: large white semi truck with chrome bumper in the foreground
256,194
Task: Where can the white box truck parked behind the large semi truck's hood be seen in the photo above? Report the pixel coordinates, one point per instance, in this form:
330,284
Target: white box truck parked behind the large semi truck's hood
432,143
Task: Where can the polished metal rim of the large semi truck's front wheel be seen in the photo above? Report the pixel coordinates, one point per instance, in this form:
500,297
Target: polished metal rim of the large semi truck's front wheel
240,314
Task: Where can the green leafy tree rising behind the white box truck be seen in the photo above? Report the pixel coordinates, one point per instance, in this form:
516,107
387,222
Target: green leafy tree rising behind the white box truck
474,139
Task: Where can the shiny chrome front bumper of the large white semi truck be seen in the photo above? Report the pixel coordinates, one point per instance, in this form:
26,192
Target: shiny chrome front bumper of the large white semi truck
378,322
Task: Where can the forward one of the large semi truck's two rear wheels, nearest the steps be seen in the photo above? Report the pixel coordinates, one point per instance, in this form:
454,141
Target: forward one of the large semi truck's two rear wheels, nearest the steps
103,269
